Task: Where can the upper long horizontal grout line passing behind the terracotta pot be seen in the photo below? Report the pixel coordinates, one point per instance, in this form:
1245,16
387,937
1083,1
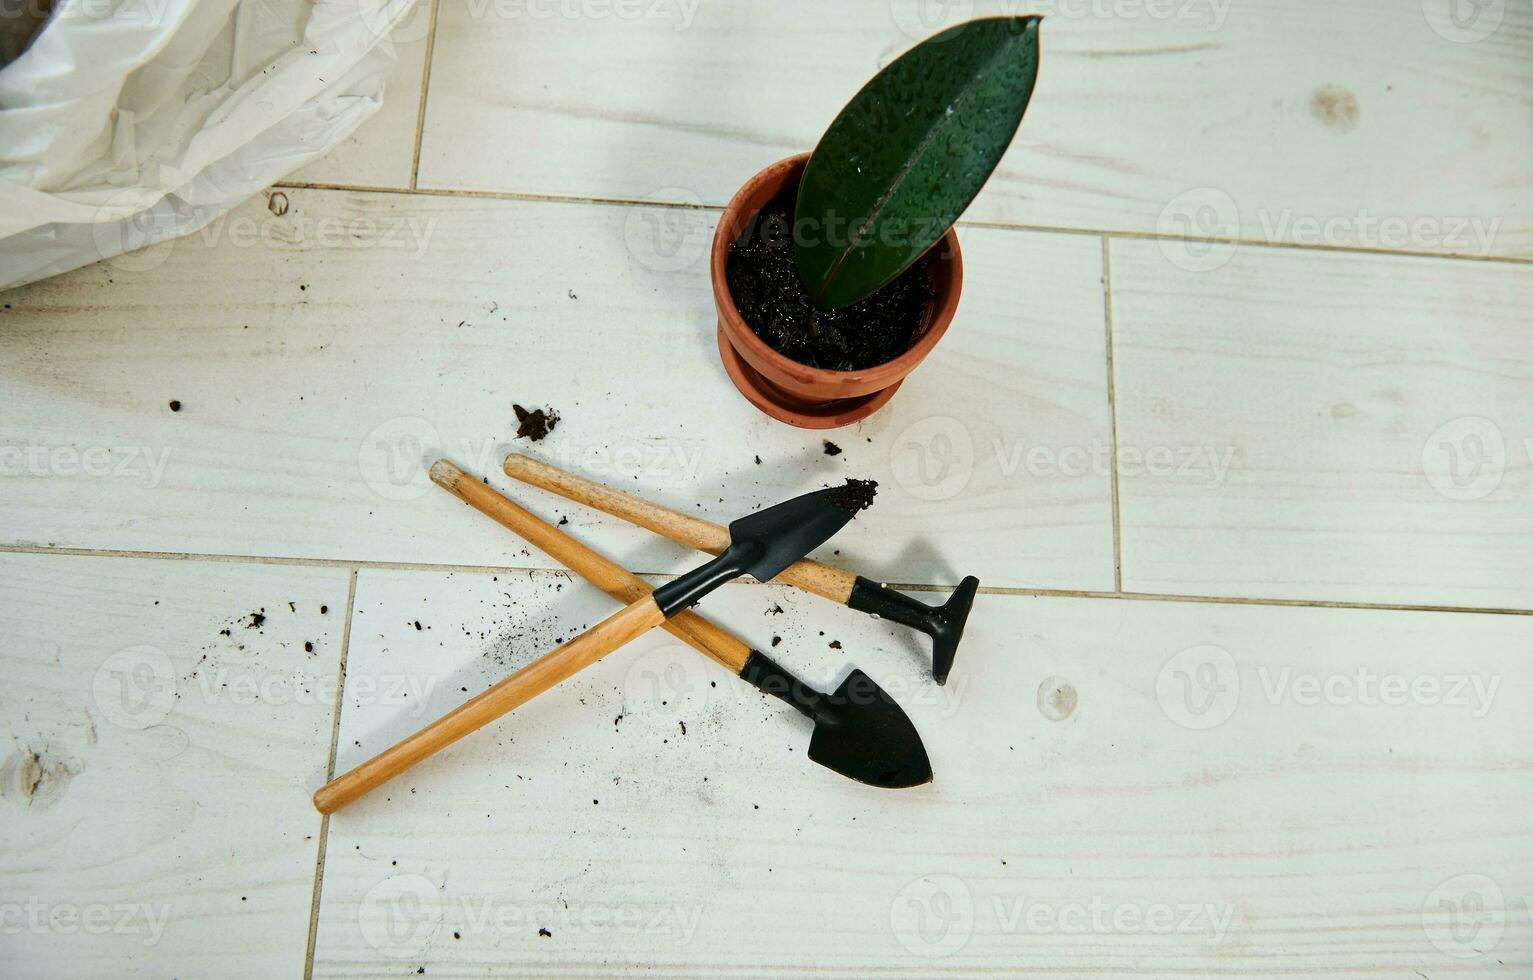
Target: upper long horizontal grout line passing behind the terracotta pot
1003,226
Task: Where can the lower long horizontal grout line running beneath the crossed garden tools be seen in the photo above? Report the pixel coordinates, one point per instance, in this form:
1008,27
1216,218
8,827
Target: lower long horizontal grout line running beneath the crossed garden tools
519,570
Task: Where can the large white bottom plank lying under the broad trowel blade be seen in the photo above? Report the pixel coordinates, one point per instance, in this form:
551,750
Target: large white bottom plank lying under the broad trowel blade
1121,789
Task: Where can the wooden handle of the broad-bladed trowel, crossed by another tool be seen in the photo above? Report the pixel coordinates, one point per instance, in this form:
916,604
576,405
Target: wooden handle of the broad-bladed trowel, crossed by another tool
594,568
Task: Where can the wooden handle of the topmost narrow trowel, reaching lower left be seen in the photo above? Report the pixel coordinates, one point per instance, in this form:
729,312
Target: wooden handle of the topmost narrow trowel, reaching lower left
487,708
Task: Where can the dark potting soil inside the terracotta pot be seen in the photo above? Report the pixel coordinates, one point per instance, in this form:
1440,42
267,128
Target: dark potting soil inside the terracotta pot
764,280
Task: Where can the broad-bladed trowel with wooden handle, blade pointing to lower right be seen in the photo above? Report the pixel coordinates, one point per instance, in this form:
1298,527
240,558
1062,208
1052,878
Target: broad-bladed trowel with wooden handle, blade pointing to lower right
859,731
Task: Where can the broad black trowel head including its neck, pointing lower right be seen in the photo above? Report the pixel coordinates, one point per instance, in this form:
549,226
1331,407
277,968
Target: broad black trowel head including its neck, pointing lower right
859,731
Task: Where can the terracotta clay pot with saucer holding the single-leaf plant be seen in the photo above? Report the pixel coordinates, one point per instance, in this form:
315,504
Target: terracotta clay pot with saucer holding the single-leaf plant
792,392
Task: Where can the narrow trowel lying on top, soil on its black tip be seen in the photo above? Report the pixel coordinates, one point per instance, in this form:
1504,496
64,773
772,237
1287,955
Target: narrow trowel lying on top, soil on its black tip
763,545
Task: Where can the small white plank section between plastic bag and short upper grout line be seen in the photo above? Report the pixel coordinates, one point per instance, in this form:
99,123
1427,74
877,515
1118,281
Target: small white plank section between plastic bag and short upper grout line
381,153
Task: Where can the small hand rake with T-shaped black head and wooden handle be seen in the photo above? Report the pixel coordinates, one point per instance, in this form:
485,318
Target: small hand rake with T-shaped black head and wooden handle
942,623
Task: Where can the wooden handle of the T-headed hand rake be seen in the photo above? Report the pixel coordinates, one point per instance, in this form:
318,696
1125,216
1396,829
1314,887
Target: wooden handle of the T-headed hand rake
681,528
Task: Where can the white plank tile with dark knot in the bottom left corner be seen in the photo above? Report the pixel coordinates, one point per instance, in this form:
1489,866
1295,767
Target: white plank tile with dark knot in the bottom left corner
156,769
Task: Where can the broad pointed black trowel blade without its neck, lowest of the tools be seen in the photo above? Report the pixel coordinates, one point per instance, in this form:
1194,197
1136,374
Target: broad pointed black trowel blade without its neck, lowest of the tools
861,732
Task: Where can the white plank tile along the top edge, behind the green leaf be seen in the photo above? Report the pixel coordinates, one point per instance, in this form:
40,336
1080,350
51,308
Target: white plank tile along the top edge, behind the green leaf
1376,125
